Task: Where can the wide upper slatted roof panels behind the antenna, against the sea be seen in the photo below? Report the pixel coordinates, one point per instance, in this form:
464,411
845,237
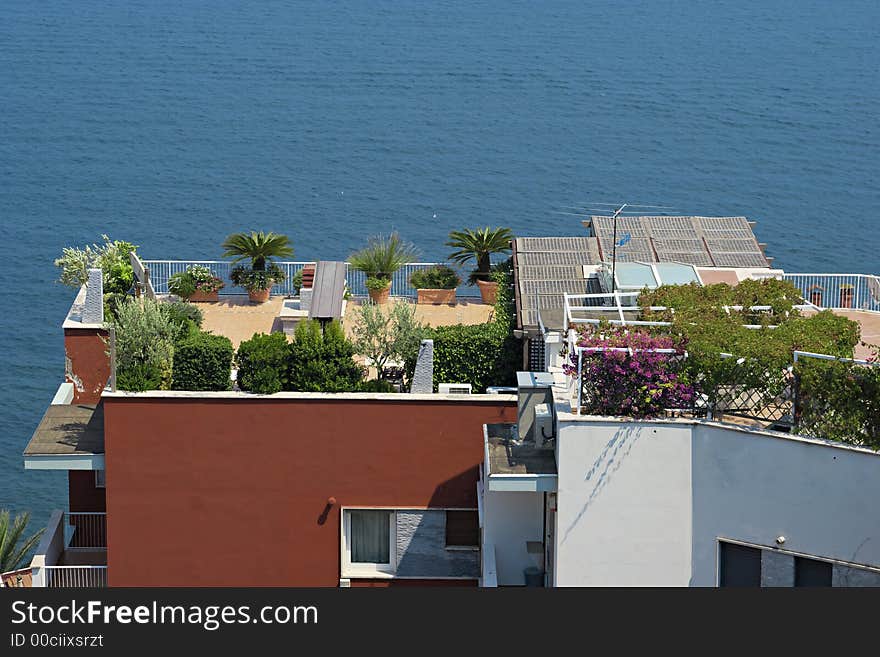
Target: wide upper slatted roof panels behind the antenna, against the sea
700,241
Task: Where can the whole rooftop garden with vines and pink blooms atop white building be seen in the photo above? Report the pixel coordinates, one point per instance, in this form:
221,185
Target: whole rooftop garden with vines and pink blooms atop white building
730,351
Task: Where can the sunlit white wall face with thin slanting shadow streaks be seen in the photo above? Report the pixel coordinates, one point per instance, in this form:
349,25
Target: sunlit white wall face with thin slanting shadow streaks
624,504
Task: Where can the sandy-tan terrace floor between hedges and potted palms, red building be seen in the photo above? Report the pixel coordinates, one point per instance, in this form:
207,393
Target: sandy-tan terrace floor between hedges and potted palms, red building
238,319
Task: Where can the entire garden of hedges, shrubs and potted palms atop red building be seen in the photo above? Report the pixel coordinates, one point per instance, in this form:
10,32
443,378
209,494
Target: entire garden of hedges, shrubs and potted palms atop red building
162,345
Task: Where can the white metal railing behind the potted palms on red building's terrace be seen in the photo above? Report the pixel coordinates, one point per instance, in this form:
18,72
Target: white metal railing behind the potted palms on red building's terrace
162,270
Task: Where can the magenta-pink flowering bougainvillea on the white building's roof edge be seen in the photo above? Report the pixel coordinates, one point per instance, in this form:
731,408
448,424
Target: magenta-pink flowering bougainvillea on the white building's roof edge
639,382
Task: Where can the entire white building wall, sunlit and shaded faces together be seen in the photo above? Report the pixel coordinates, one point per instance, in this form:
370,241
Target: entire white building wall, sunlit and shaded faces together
644,503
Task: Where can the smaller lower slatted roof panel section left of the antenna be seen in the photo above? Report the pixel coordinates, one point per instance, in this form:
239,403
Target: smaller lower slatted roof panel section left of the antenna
546,269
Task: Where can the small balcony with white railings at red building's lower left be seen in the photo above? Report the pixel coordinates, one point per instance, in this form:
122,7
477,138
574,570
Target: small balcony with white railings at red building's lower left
73,552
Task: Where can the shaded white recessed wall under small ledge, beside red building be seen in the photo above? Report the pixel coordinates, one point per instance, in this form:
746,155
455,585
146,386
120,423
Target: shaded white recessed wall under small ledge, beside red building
510,519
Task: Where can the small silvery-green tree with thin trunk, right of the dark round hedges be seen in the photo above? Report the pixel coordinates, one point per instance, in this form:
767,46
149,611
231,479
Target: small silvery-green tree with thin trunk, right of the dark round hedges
387,333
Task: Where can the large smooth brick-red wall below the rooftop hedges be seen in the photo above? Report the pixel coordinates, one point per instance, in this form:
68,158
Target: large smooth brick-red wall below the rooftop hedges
234,492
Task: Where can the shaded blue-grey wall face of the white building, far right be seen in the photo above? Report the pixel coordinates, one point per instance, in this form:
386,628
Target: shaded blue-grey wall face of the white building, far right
753,487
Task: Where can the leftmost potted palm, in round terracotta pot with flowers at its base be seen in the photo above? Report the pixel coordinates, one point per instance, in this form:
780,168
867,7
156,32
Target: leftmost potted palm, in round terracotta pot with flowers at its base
263,273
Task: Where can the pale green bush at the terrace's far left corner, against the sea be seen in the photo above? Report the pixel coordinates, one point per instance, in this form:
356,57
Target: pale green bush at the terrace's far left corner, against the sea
111,257
